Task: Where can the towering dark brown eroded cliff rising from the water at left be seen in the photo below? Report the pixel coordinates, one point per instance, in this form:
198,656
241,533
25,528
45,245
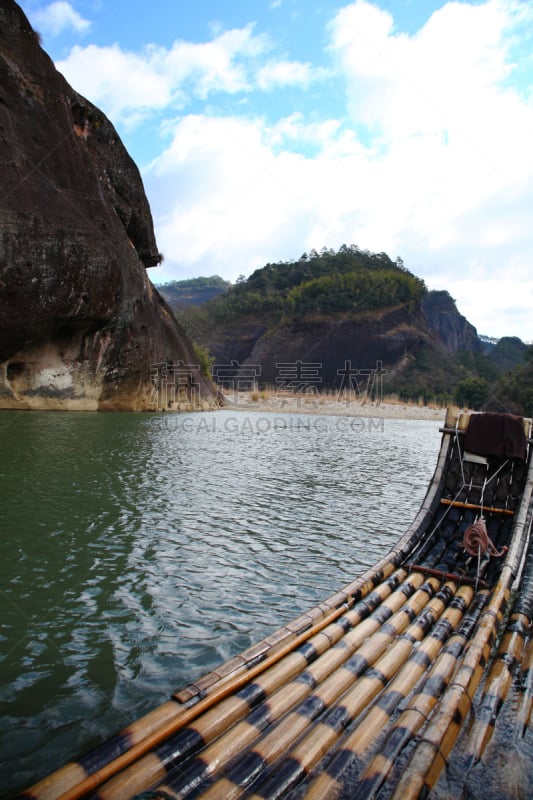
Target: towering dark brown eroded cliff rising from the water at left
80,323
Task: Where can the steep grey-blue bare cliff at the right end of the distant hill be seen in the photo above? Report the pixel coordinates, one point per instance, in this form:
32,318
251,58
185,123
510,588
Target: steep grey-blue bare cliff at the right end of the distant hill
454,330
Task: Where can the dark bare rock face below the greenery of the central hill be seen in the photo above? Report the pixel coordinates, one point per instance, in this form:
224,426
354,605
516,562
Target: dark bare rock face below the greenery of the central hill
338,346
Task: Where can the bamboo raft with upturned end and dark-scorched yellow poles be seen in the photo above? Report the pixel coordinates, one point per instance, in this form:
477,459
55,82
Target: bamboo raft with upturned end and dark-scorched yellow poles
365,695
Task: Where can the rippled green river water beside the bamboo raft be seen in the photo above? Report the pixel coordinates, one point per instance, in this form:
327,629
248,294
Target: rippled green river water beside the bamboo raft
138,551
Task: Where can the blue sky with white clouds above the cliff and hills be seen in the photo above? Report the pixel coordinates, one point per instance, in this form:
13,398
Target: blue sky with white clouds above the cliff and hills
266,128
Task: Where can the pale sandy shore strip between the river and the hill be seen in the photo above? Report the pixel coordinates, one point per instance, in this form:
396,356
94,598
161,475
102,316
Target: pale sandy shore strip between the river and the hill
316,404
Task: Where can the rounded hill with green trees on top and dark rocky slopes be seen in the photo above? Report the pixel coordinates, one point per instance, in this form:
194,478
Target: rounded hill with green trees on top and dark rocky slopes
331,308
